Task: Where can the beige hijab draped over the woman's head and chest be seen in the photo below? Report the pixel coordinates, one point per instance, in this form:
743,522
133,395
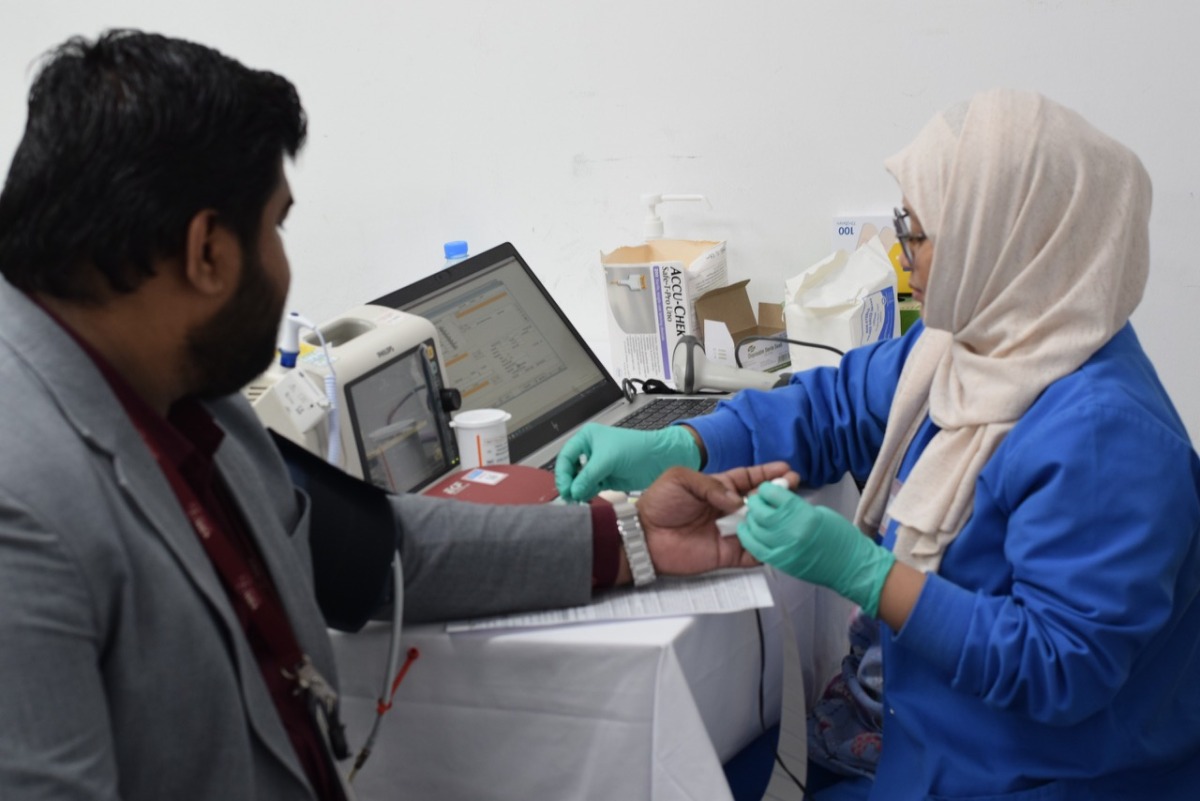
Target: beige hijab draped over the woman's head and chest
1040,227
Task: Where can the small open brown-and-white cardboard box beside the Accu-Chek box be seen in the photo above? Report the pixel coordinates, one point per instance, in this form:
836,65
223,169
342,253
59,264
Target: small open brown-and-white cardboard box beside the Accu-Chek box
727,320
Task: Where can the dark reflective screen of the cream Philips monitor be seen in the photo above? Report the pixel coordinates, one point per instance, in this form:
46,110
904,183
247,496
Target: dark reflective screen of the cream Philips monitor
401,445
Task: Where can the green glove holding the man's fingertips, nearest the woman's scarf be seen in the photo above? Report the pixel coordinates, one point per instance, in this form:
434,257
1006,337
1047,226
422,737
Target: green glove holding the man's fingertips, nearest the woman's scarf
817,545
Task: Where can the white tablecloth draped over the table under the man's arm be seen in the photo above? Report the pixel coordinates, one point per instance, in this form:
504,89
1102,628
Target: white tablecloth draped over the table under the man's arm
628,710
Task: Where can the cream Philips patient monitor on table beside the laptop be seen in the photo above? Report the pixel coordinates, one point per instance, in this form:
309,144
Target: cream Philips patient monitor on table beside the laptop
373,398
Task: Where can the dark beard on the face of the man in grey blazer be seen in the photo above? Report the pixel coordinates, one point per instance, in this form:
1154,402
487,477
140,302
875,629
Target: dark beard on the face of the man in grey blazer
238,342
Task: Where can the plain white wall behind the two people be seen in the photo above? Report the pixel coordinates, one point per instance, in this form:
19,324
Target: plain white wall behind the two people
541,123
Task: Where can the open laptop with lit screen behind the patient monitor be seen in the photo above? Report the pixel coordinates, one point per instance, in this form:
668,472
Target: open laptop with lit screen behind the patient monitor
508,346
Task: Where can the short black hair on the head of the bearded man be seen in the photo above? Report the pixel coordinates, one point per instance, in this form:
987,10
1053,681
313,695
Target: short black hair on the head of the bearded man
127,138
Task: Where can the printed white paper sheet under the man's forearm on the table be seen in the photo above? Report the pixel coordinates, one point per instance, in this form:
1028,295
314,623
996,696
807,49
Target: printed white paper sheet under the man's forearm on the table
723,592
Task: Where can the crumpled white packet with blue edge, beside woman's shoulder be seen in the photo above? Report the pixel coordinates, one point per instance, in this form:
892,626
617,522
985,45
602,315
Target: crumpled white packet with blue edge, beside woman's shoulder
844,302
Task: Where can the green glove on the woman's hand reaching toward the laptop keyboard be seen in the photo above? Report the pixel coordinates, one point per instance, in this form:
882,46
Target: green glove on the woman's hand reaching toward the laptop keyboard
621,459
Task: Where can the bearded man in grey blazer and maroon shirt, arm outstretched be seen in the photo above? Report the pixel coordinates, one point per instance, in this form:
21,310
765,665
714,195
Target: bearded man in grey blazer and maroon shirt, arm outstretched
160,634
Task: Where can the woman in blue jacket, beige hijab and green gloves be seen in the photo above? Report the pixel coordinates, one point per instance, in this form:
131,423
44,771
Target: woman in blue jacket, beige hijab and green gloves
1033,499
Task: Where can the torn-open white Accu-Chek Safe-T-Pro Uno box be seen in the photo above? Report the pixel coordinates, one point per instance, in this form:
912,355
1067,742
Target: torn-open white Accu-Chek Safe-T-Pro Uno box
652,292
